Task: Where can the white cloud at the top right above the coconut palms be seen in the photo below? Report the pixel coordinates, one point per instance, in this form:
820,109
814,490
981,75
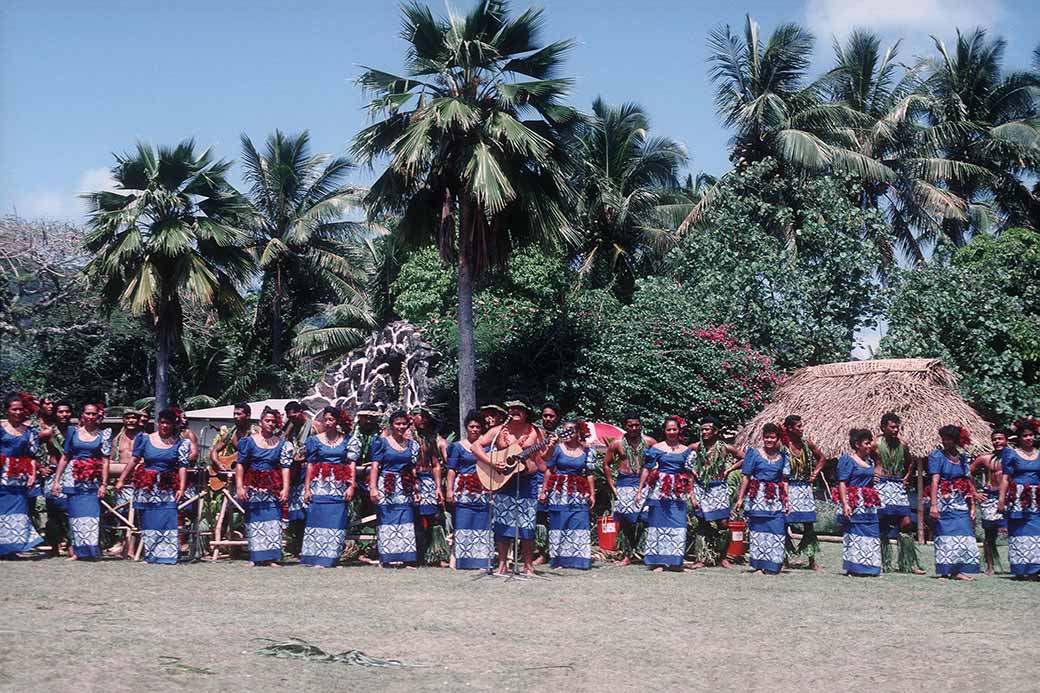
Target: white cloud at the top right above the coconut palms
827,18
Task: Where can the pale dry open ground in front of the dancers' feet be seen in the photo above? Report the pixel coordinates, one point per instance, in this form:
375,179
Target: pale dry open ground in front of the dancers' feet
115,626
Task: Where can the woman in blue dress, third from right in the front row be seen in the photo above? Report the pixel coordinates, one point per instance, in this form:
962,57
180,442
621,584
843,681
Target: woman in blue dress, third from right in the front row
860,502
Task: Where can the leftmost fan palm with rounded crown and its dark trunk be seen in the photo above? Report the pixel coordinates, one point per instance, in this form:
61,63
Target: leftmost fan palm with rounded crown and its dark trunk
171,234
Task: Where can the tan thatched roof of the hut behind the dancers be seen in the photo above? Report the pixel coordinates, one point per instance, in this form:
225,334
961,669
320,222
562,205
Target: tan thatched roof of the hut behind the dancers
835,398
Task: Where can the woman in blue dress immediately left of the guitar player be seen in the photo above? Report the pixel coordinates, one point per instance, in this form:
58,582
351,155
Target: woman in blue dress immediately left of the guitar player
474,545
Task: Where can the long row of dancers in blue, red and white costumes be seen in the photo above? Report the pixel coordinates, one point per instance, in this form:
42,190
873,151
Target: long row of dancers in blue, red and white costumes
307,473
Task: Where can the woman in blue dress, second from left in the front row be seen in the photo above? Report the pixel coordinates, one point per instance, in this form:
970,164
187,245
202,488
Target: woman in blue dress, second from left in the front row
88,453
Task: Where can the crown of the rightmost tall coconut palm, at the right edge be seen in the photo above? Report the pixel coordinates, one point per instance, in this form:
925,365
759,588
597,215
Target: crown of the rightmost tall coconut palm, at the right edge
985,118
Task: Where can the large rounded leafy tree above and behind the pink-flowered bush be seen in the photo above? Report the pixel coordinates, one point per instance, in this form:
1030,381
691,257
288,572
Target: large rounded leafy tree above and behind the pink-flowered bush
785,264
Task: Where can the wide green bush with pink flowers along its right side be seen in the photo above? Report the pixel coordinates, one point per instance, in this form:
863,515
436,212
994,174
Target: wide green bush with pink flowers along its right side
658,357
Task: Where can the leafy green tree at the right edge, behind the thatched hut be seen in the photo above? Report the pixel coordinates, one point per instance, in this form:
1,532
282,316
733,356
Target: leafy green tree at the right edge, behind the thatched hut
981,315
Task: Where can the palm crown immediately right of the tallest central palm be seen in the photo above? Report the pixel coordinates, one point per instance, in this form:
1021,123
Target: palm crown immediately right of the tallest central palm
626,179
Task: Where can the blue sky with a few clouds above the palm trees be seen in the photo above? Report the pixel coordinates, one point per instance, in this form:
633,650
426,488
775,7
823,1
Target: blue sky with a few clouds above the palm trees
83,80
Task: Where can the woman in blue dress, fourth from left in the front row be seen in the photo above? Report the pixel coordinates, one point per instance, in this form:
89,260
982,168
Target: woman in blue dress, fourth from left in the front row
263,476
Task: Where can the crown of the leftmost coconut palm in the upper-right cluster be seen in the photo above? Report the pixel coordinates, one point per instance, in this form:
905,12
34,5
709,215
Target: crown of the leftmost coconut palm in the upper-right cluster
763,93
